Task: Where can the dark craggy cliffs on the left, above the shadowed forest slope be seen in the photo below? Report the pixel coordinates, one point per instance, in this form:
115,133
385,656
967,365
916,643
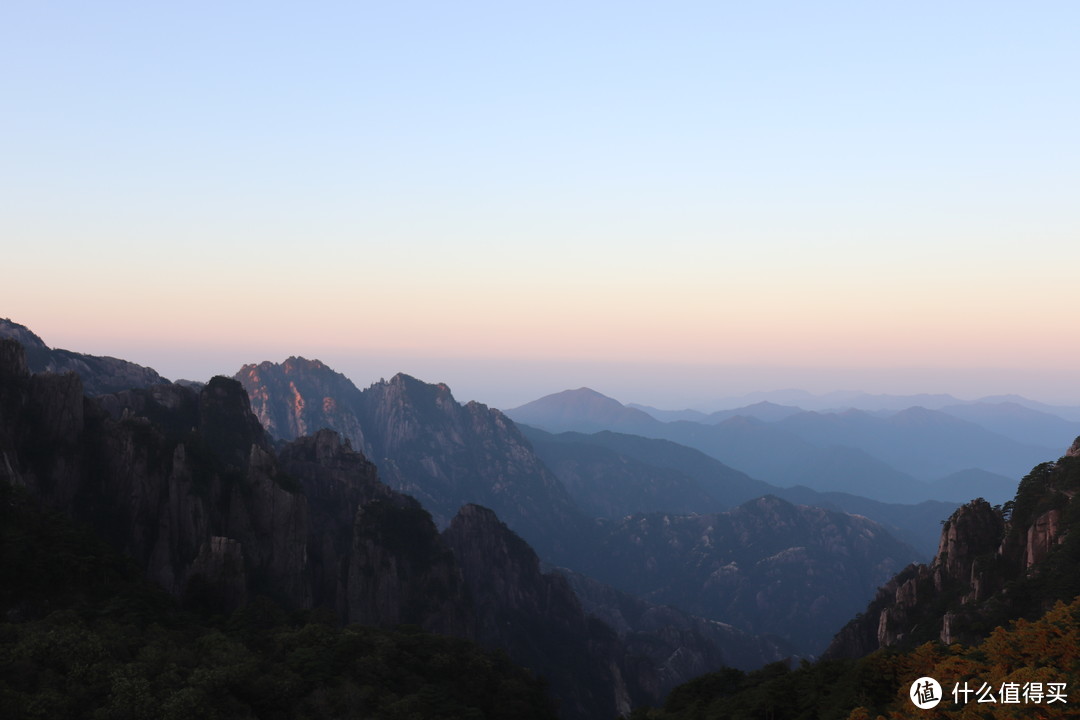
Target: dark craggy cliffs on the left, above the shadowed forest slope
190,486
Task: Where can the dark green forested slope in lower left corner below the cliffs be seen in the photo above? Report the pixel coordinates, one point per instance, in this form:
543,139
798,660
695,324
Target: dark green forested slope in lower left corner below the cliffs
86,636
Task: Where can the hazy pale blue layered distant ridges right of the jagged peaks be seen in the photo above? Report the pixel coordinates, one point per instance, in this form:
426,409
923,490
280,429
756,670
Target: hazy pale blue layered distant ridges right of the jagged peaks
897,458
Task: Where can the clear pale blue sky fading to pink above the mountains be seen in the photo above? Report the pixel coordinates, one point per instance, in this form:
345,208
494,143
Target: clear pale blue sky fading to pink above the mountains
667,202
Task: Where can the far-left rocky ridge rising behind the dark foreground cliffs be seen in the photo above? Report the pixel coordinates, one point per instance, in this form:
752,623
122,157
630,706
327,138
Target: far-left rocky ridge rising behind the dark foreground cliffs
100,375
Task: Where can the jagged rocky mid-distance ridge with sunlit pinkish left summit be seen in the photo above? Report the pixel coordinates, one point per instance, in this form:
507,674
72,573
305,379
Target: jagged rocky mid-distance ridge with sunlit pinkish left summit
426,444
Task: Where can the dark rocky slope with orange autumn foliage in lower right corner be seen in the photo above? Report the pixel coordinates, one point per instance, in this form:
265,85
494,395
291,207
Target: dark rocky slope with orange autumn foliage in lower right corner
995,618
